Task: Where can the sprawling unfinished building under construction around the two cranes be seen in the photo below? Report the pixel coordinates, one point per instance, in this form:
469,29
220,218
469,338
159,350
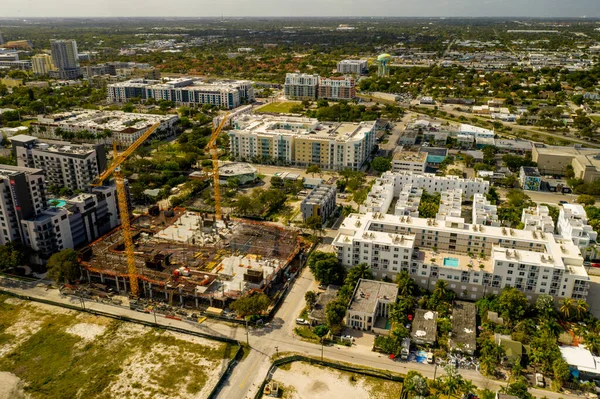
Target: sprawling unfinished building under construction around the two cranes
190,259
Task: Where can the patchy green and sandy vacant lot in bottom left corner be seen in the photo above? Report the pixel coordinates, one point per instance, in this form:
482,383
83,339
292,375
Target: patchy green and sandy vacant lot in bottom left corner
50,352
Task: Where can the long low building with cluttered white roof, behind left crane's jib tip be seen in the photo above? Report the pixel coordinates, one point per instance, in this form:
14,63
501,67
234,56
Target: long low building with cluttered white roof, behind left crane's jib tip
105,126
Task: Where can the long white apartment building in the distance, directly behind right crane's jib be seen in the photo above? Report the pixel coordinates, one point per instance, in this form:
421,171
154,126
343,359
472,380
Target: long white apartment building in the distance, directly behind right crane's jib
185,90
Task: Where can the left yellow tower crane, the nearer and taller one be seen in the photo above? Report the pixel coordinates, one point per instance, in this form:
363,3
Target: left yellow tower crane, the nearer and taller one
115,170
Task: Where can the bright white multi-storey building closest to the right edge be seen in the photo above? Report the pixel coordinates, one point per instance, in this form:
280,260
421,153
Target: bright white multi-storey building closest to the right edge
573,223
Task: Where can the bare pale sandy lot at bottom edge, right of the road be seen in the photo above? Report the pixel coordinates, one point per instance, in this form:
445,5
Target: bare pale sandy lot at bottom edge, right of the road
306,381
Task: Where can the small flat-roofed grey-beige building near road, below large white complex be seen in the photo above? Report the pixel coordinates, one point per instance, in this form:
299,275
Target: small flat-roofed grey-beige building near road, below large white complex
369,307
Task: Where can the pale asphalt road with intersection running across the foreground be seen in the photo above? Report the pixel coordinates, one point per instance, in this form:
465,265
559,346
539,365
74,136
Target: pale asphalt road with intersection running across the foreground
267,341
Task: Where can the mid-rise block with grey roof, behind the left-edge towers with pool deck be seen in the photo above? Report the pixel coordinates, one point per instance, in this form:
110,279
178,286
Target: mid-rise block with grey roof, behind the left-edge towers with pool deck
64,164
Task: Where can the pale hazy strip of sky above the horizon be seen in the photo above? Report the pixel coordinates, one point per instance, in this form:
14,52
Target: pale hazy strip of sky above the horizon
206,8
